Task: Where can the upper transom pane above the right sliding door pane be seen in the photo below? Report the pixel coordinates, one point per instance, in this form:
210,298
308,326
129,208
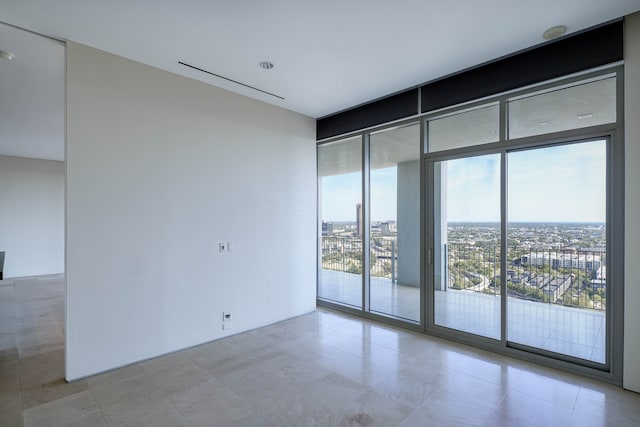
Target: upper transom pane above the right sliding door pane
580,106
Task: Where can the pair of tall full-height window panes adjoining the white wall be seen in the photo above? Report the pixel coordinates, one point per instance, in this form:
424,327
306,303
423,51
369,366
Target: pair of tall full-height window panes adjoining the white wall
379,229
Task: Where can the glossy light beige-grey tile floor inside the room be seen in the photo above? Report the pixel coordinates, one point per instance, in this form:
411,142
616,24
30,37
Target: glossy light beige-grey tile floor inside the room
321,369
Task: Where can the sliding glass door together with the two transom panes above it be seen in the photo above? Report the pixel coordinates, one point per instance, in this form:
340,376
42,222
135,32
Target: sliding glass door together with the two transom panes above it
519,221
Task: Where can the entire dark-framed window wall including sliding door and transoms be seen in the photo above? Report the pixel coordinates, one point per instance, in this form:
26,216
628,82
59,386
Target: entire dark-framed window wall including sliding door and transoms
505,234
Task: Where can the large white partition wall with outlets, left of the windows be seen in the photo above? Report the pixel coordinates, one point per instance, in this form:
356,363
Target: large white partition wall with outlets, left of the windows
160,169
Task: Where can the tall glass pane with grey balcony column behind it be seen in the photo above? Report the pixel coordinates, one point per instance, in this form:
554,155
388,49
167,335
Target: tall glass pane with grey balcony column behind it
395,222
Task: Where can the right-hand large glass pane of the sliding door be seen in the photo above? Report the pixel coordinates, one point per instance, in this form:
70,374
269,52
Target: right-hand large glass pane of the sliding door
556,275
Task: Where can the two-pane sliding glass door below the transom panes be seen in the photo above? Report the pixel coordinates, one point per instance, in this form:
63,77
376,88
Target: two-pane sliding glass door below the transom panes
555,273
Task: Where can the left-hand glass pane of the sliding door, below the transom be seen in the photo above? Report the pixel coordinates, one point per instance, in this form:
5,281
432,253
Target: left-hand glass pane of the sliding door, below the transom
467,252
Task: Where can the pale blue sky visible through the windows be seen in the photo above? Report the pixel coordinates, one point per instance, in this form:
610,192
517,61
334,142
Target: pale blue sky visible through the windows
555,184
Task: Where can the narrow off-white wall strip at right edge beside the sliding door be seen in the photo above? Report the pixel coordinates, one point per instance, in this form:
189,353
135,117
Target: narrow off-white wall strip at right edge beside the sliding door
631,374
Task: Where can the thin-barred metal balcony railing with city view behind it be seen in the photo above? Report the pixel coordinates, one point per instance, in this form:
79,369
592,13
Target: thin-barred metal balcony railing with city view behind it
569,277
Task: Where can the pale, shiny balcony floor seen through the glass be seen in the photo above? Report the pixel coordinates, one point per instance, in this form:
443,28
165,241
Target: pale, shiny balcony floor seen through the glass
572,331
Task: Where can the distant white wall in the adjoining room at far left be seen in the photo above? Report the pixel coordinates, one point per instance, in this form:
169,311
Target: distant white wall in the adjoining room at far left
31,216
